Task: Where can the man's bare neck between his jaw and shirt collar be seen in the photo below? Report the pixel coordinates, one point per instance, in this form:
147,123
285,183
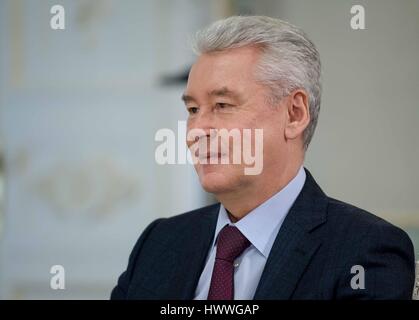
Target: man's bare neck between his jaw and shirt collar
239,203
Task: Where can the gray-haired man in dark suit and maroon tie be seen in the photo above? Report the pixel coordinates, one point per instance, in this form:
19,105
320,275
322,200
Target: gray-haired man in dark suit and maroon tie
274,234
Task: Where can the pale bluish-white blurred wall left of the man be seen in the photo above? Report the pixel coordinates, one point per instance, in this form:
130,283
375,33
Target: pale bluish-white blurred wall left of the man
79,109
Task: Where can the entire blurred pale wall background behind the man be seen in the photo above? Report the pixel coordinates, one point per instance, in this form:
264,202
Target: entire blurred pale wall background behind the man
79,109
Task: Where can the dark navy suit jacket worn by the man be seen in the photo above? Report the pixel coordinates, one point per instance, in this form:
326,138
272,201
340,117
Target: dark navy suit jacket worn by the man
319,242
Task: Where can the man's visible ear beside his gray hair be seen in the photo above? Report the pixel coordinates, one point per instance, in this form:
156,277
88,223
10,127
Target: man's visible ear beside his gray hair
298,115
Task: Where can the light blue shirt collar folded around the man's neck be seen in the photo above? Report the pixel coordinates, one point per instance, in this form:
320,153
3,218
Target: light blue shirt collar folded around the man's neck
261,225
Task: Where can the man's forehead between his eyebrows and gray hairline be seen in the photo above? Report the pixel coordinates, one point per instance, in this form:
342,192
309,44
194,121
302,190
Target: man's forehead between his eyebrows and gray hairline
233,68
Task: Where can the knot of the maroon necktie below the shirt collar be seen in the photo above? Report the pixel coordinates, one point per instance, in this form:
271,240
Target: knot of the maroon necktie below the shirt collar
231,243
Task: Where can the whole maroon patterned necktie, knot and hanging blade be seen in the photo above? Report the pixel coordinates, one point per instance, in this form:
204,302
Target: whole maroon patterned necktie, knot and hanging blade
230,244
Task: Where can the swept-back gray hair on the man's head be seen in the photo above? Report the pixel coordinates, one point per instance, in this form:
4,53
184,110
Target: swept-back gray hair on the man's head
289,60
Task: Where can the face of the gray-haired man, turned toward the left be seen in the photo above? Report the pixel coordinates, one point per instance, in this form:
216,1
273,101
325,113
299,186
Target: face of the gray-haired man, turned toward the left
222,93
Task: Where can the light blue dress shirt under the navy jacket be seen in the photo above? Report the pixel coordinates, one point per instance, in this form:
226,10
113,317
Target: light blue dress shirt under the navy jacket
260,227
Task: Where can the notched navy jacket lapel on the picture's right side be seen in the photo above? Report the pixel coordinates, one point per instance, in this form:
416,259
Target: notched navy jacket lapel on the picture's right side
294,245
